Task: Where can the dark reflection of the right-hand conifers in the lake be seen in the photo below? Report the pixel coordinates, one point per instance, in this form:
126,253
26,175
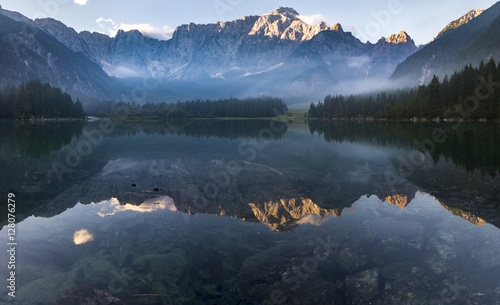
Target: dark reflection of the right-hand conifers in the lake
473,146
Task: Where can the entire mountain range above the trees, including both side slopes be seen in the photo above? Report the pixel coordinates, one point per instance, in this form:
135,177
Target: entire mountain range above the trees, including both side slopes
273,54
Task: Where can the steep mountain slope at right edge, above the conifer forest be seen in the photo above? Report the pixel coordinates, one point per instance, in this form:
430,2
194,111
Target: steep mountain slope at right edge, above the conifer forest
469,43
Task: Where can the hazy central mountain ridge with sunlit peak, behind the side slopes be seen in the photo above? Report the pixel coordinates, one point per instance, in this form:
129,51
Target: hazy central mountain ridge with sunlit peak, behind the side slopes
255,49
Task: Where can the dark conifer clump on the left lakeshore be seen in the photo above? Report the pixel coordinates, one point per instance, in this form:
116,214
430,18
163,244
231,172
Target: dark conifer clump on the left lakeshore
37,99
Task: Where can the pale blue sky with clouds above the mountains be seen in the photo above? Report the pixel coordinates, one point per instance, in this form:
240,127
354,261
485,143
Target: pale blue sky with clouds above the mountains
366,19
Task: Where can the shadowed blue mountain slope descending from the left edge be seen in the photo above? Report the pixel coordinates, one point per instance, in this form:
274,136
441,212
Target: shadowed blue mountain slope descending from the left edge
28,53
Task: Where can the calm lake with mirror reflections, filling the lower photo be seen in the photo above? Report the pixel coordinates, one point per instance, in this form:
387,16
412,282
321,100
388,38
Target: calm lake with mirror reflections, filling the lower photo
252,212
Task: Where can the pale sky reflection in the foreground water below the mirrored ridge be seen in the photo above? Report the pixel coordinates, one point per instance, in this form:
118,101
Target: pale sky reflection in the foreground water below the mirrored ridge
375,251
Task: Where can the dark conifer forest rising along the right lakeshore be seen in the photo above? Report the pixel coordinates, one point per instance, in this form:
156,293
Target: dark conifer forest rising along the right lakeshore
472,93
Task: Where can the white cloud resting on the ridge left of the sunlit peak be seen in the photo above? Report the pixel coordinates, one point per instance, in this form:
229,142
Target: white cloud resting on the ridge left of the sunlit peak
148,30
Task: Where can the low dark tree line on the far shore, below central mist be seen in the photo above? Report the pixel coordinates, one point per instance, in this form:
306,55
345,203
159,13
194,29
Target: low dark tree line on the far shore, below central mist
252,107
